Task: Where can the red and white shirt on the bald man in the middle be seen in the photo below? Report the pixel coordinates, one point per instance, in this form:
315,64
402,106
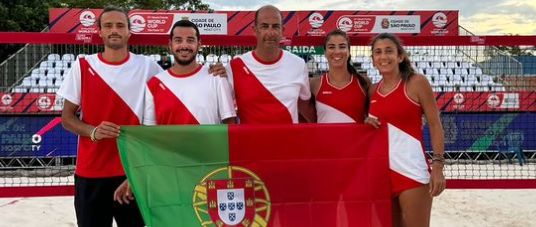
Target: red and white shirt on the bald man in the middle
268,92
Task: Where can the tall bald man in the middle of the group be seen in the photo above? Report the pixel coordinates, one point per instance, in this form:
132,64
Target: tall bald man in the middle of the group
270,84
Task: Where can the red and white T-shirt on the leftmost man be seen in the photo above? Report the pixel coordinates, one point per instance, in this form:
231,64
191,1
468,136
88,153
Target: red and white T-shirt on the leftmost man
106,91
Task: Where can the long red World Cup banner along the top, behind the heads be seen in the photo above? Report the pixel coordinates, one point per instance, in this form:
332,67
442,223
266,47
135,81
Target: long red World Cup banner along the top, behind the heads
296,23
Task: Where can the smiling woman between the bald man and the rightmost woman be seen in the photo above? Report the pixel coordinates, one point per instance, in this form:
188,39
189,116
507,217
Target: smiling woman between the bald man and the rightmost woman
340,94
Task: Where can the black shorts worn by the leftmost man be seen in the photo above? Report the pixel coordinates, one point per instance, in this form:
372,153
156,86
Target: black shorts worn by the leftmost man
95,206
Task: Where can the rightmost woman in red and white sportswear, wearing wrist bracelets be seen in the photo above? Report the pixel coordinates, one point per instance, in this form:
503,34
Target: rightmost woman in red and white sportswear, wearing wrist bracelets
400,99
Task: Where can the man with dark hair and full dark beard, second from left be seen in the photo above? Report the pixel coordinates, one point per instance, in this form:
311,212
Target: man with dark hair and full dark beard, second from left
186,93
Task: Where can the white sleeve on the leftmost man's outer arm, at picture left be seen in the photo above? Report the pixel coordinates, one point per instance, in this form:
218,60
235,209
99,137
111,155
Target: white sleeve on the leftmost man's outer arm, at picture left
71,87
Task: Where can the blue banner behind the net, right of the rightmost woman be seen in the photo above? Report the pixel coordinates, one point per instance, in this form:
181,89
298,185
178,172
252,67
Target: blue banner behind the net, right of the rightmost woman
487,132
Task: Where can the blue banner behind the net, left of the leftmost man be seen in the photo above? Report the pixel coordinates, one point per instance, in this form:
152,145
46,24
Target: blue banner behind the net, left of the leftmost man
35,136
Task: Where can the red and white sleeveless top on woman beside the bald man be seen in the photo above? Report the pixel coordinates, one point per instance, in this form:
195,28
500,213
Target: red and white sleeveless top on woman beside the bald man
340,105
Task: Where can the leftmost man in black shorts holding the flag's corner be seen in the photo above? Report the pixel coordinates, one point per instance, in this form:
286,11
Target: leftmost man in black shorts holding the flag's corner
108,89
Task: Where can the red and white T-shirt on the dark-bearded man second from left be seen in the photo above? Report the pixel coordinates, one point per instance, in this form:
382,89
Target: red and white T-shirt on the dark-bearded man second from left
194,98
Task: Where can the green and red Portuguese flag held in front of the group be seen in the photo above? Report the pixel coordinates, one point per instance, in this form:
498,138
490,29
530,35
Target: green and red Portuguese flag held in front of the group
259,175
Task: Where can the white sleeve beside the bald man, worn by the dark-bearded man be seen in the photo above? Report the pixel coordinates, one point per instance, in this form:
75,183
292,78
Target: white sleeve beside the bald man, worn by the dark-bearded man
226,107
